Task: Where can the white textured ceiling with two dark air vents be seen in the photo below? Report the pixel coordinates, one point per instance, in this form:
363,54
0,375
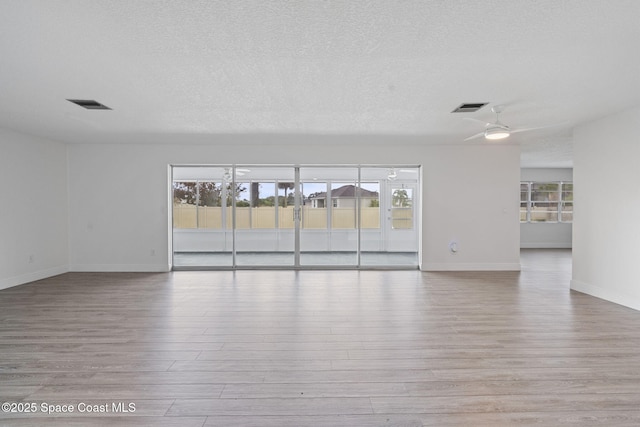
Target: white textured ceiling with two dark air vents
174,70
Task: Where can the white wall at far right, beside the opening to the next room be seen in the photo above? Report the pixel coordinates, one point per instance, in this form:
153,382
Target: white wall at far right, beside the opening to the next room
606,236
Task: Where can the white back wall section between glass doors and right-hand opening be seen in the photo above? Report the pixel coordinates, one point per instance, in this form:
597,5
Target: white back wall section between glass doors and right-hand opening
470,197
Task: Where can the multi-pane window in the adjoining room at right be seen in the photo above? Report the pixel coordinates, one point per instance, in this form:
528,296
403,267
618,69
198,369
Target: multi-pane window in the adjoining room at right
546,202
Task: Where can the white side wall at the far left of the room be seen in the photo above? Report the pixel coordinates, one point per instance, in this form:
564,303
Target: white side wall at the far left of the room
33,209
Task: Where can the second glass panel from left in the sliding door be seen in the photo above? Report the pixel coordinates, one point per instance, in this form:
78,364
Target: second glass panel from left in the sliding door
265,233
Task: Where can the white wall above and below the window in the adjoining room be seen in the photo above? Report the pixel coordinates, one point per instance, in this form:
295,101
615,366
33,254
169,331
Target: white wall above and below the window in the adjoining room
546,234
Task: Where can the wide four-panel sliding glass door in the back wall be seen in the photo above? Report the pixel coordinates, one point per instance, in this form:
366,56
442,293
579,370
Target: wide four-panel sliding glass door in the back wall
258,216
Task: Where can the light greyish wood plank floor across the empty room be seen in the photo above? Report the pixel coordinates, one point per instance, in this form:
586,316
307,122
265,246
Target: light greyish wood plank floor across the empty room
321,348
